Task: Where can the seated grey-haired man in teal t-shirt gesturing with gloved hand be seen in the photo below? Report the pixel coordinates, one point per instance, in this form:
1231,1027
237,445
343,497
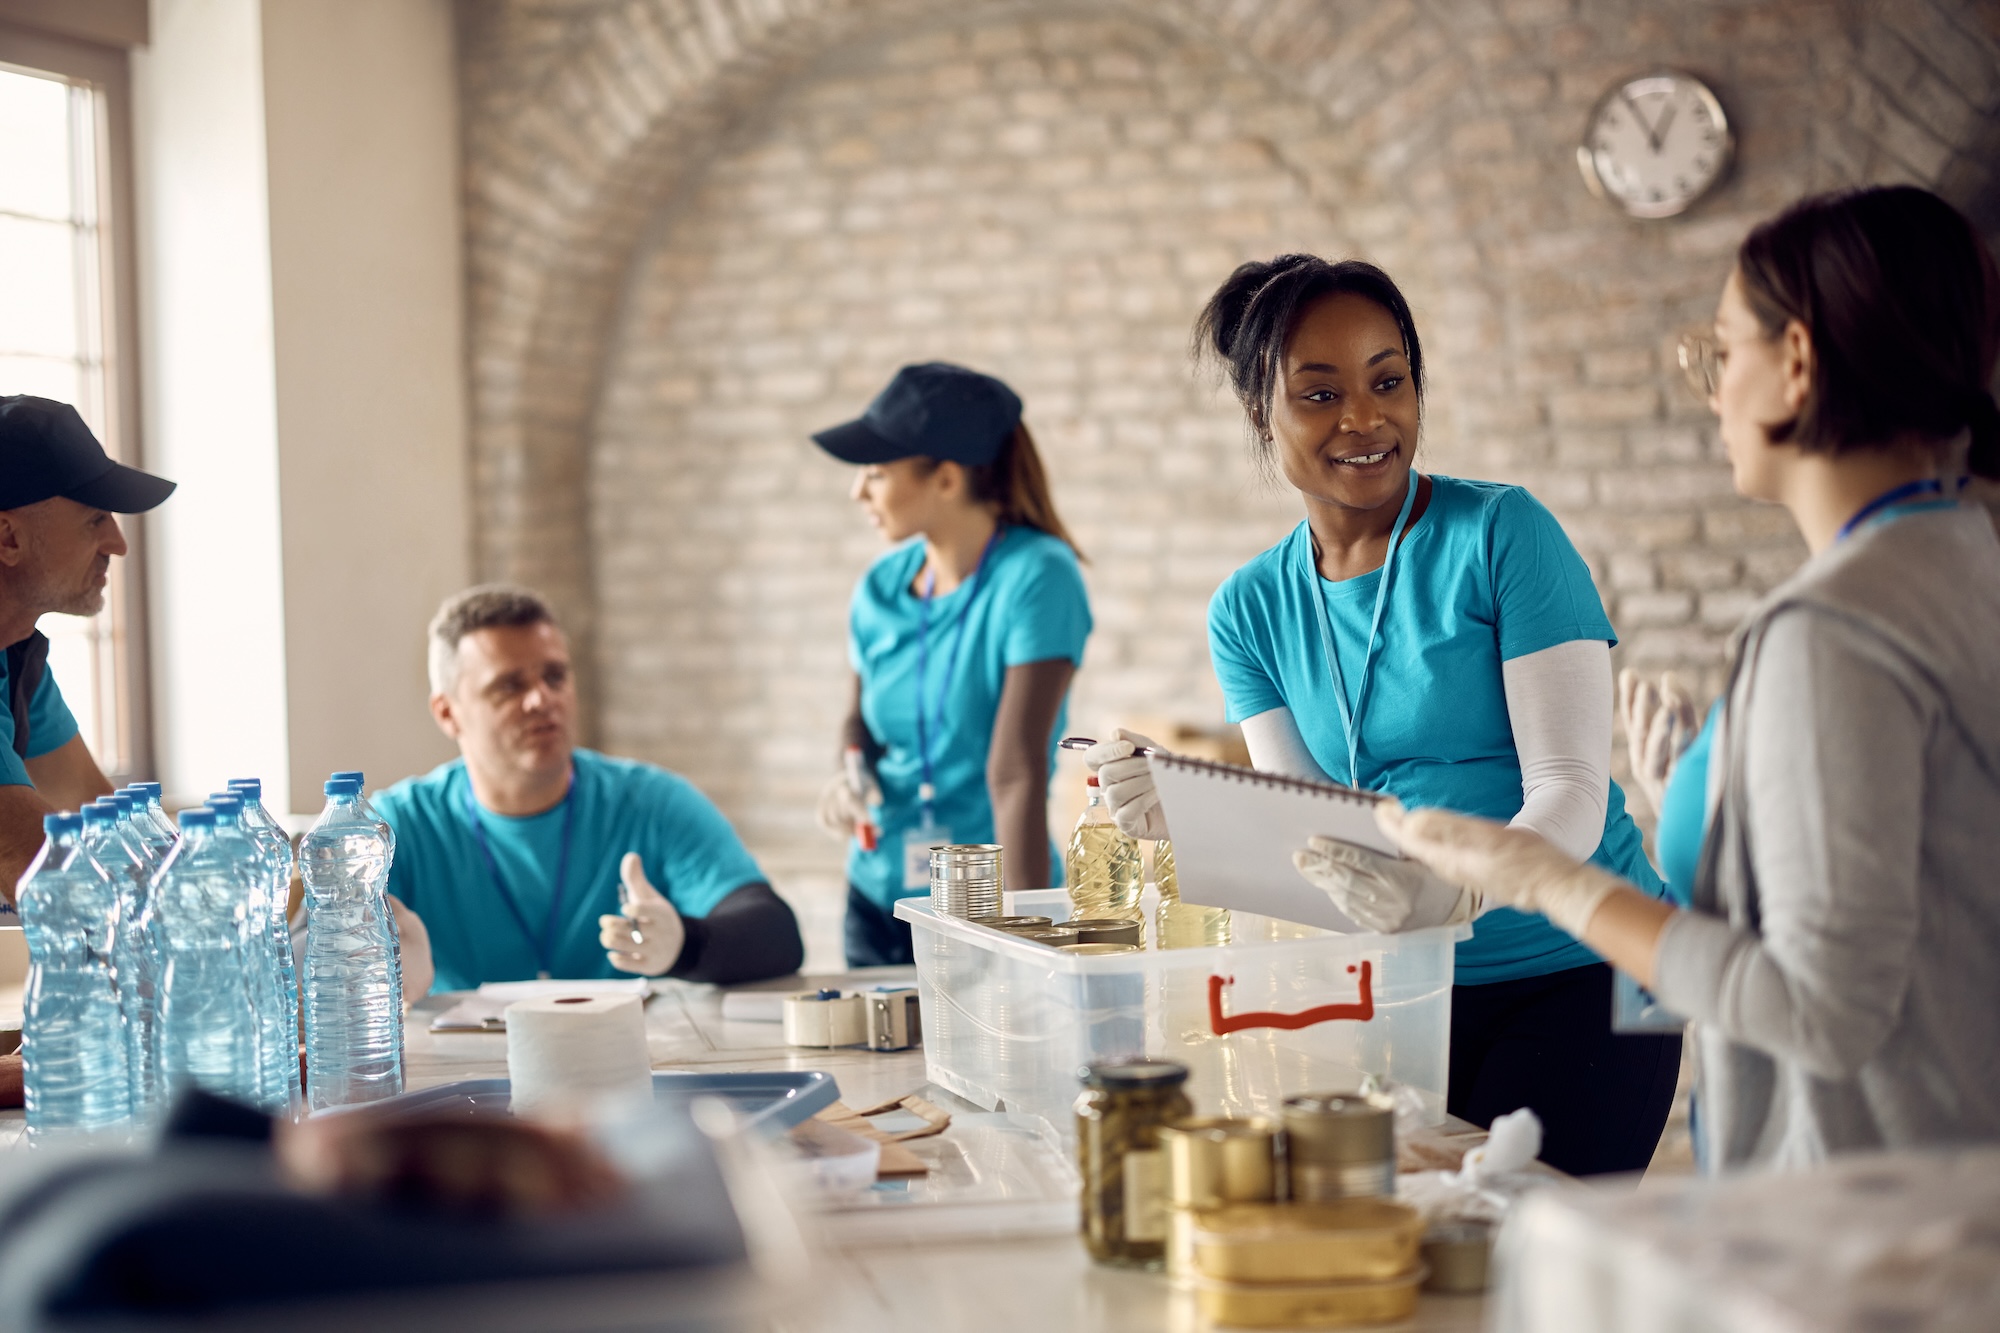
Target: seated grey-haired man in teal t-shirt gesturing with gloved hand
533,858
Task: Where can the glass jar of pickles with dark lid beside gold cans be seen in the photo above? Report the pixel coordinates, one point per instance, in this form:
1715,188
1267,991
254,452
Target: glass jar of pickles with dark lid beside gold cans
1119,1122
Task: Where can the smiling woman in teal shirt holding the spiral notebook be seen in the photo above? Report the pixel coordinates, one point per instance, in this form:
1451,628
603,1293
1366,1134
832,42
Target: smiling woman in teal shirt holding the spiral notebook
1441,641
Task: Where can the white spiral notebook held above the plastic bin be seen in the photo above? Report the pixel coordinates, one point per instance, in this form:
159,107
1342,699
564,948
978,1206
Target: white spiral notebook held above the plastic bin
1235,834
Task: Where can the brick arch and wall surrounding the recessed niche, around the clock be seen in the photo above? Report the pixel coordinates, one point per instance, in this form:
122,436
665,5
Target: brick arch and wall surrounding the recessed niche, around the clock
1447,155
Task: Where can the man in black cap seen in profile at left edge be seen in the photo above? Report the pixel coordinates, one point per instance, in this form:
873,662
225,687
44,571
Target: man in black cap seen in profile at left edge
59,531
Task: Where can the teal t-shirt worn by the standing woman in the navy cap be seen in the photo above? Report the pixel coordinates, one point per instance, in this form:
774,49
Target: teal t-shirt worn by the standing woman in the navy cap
1029,605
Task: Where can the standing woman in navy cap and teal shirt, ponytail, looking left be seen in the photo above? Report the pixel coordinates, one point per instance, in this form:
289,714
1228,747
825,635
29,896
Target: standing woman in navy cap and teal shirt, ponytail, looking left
963,643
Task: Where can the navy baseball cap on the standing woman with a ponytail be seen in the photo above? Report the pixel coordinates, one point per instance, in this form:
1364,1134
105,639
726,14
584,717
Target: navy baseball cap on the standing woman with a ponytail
931,411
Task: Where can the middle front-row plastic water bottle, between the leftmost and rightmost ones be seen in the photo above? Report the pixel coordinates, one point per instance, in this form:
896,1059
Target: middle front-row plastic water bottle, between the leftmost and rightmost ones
209,1024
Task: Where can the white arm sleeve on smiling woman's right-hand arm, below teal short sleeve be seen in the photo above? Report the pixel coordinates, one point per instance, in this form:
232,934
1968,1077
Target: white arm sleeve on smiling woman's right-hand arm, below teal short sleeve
1561,708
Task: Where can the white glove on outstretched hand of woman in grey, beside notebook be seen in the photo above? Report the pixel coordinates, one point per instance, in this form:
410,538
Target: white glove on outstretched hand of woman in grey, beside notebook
1505,868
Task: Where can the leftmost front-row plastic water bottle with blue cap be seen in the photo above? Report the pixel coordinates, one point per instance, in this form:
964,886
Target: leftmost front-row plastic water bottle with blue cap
73,1032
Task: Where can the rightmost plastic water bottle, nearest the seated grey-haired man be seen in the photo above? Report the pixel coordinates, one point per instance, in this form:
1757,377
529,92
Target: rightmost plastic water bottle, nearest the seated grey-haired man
351,990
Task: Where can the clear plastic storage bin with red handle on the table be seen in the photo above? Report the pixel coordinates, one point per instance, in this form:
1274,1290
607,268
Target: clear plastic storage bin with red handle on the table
1285,1010
